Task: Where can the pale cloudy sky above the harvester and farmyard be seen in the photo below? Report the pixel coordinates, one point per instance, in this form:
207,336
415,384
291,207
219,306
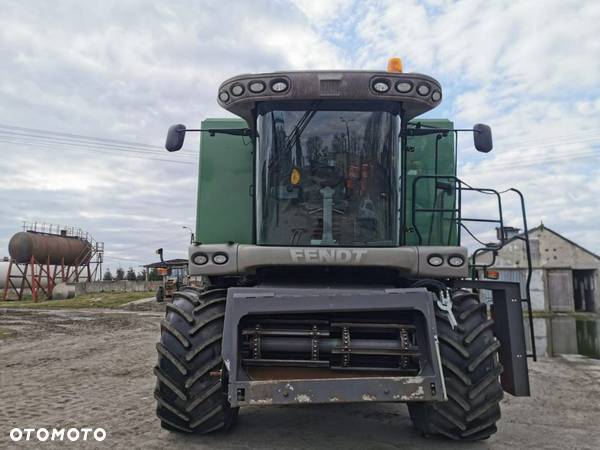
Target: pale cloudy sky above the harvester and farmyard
123,71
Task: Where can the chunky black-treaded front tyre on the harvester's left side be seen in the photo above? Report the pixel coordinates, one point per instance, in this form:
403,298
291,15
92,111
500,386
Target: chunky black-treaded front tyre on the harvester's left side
190,377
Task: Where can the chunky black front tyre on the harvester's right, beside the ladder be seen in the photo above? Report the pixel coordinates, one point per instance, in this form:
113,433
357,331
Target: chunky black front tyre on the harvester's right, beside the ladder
471,371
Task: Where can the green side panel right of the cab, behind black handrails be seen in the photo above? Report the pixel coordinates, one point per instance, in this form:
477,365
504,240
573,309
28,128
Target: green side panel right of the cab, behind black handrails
435,228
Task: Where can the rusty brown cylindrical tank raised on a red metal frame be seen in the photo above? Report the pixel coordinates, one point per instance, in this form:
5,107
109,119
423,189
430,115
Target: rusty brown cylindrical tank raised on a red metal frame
49,248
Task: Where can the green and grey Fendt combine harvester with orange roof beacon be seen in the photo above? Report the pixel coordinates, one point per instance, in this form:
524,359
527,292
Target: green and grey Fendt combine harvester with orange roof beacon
328,234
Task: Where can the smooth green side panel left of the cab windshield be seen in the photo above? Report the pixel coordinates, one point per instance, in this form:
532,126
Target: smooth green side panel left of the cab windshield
224,211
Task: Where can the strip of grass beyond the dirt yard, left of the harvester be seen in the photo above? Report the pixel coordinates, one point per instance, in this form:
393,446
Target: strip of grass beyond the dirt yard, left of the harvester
98,300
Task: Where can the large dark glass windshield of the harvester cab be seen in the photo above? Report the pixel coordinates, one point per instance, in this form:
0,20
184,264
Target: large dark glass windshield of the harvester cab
327,177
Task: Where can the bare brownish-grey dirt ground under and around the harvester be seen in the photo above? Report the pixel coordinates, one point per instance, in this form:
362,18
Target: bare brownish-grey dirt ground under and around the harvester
94,369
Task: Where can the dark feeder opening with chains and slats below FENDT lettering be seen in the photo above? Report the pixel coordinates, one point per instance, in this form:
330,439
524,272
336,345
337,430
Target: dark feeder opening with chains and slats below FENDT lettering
355,342
